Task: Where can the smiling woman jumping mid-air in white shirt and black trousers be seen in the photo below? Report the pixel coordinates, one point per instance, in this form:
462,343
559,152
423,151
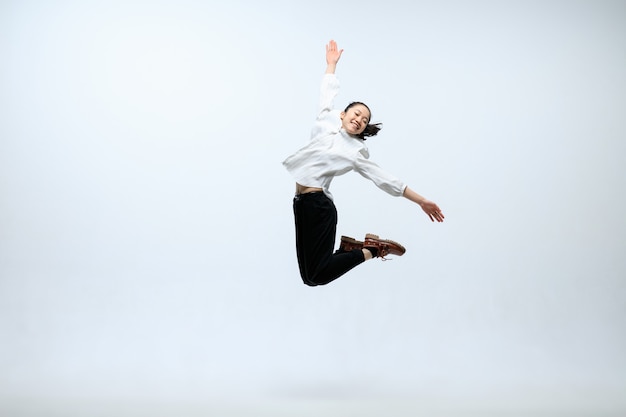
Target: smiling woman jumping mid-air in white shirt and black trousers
337,146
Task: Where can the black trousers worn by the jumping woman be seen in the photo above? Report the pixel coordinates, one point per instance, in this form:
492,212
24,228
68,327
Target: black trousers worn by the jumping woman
316,226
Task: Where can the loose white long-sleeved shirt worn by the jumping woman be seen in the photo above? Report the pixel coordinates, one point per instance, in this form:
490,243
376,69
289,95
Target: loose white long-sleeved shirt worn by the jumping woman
332,151
